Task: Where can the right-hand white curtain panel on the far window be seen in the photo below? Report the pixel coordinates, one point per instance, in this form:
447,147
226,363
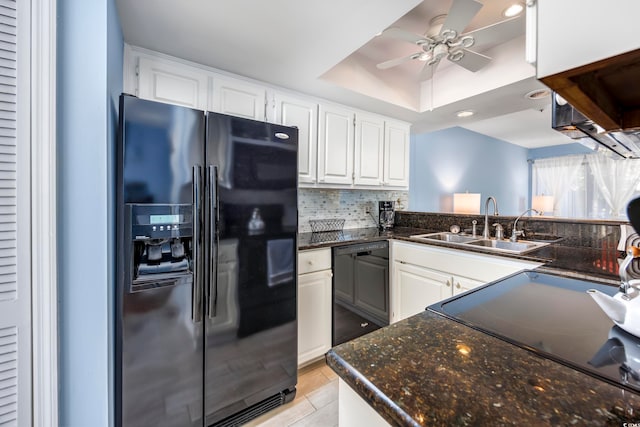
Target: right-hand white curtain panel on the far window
616,180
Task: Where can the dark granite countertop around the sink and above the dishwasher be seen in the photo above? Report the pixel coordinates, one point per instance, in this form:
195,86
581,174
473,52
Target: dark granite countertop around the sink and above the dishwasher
578,261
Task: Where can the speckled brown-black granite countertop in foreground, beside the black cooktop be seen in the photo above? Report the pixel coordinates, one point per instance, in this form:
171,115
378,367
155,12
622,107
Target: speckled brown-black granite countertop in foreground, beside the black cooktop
427,370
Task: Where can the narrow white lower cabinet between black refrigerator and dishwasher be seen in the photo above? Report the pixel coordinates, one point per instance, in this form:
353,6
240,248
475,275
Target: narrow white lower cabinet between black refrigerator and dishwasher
314,304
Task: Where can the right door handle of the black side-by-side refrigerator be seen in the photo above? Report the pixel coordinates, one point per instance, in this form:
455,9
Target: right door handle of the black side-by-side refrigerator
213,241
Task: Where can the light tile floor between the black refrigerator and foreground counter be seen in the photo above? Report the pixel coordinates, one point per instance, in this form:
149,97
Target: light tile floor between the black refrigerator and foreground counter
315,405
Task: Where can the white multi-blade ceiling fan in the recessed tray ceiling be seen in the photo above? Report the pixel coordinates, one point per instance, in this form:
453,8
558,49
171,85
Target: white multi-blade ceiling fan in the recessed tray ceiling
449,42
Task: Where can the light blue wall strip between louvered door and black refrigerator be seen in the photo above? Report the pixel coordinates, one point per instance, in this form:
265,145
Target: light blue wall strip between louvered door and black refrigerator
90,52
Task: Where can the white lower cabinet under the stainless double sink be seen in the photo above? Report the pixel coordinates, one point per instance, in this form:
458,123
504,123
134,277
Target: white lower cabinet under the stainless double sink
423,275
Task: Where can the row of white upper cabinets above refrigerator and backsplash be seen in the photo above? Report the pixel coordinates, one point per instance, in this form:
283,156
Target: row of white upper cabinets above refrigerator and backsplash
338,147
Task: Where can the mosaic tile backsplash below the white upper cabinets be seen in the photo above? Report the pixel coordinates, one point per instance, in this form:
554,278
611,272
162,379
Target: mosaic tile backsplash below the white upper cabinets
350,205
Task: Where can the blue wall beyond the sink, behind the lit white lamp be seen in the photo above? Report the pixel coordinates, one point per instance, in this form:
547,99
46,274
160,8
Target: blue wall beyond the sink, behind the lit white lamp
456,160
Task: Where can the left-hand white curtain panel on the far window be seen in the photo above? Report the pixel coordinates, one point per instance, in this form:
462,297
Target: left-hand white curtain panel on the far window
557,175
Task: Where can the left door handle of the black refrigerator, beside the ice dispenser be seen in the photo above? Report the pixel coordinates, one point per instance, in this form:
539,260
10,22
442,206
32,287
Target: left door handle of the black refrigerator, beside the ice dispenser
198,285
